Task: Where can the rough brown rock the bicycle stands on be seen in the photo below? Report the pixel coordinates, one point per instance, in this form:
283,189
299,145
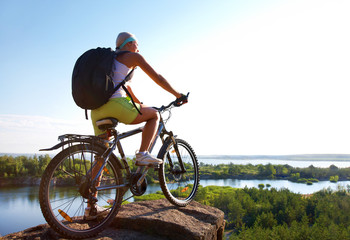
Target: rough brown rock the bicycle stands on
150,220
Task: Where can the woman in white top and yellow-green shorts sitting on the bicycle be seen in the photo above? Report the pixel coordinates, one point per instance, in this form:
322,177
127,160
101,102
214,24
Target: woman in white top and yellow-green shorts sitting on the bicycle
121,107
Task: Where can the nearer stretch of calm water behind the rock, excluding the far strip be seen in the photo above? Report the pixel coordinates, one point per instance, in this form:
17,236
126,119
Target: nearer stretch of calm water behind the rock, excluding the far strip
20,207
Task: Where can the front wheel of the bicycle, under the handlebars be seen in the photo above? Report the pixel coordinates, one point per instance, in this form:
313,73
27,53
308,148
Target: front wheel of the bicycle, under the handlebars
179,188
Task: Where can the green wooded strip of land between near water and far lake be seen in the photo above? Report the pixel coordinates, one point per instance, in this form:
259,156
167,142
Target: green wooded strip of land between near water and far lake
34,167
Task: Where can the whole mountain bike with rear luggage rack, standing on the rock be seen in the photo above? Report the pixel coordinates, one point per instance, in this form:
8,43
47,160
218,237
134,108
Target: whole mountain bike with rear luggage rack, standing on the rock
87,172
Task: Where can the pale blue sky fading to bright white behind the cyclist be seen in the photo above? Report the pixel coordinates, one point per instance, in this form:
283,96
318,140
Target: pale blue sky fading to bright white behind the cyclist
266,77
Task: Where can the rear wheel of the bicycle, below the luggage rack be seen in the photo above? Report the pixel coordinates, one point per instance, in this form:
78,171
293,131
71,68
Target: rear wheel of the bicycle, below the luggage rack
73,161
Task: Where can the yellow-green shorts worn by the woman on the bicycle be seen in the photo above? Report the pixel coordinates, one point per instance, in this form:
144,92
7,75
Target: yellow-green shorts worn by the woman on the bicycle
119,108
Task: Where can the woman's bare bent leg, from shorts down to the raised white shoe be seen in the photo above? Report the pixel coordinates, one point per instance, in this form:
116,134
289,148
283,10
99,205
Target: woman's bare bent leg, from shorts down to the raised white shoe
151,117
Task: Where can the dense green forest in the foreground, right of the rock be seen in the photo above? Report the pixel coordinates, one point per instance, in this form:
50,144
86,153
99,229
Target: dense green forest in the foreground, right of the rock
260,214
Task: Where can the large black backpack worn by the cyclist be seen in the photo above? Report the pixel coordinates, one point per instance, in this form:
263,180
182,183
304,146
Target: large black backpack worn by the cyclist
92,84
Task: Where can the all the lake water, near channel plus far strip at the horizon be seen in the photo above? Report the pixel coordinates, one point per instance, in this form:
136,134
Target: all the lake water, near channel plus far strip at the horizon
20,205
